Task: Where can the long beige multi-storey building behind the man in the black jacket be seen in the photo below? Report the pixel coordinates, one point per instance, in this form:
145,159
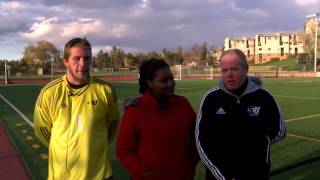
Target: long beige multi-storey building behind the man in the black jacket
267,47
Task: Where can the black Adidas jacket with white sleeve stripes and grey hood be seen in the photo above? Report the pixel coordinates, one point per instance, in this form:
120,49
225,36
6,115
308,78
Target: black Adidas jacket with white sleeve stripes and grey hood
234,133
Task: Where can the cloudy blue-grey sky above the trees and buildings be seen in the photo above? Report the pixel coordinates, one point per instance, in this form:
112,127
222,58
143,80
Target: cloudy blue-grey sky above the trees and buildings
144,25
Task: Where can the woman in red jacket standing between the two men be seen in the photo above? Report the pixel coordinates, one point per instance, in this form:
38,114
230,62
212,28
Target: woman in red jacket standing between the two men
156,138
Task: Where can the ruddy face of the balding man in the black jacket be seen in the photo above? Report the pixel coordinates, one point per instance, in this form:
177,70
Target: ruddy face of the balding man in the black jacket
233,73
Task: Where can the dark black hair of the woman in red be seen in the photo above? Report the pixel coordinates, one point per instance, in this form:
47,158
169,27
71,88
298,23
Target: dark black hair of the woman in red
147,71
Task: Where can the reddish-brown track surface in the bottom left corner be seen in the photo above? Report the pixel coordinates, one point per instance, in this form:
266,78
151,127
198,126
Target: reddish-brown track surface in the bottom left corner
11,166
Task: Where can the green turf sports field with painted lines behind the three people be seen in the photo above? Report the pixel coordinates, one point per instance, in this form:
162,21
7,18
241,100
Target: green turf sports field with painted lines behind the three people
296,157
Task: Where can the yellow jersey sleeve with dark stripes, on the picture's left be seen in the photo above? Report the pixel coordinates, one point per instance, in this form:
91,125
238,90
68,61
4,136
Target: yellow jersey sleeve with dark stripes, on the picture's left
42,120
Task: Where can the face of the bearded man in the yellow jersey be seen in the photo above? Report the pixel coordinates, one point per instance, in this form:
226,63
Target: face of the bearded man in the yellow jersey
78,65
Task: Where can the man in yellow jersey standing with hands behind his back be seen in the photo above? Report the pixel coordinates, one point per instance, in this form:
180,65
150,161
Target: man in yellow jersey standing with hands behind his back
76,117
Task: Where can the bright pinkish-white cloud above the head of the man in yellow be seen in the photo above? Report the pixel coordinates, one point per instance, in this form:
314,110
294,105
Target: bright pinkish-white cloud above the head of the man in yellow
58,32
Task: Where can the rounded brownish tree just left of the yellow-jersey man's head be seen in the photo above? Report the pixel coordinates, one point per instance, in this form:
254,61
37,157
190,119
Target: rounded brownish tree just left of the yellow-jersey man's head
40,55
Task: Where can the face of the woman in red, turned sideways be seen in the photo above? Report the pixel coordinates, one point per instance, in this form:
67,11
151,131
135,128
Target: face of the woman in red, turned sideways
162,85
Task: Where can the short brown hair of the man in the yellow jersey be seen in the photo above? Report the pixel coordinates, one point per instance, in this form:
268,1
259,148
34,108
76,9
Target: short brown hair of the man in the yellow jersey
75,42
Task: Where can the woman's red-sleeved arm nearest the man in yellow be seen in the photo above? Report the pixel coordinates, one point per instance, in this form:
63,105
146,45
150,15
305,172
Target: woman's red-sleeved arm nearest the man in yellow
127,145
